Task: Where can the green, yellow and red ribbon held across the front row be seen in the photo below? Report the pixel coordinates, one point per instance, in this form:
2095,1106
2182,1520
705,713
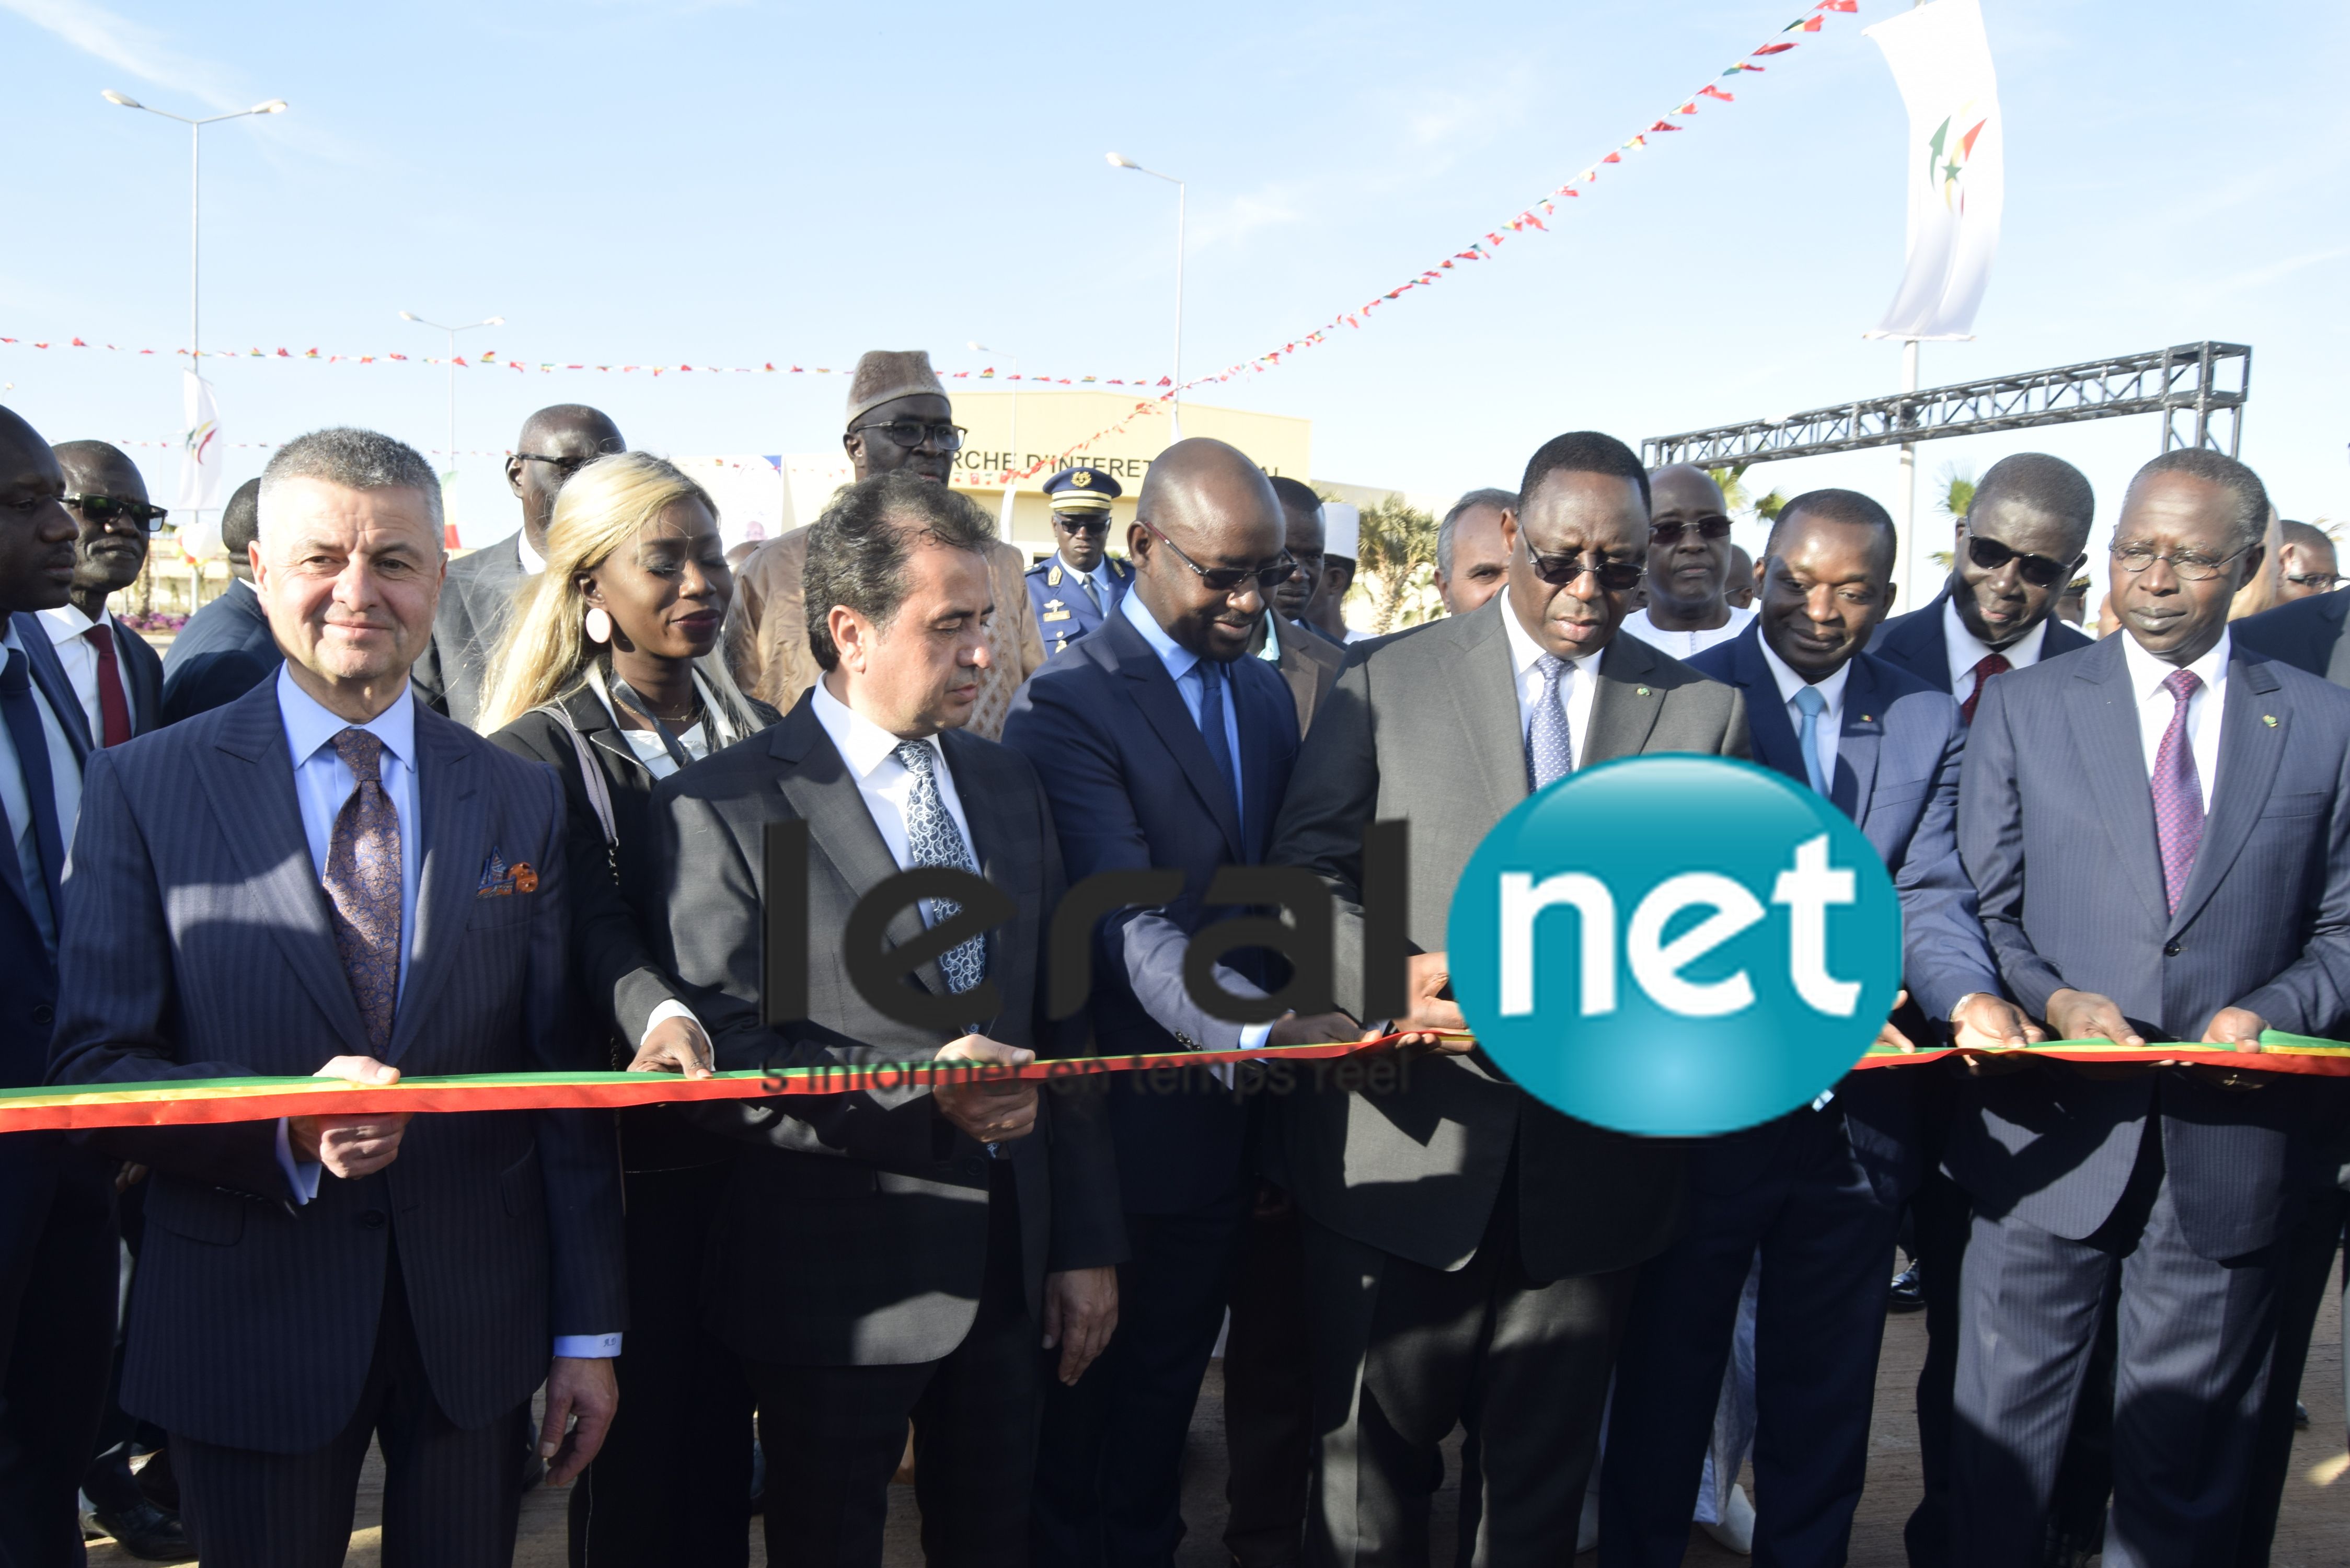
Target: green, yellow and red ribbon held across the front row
210,1101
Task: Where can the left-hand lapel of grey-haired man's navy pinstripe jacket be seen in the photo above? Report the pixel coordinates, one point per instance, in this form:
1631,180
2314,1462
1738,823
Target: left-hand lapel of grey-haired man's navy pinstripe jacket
250,784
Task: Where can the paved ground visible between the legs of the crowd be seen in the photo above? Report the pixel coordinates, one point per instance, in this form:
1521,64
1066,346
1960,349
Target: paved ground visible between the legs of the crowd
2314,1534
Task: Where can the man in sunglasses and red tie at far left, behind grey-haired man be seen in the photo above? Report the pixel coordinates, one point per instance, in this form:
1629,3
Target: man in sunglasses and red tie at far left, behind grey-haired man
116,676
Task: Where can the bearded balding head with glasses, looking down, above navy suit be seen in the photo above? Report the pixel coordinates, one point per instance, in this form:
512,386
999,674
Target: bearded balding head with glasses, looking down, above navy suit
1221,514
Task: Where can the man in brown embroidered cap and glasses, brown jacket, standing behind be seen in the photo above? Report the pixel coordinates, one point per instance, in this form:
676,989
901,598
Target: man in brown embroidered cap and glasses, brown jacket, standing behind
899,417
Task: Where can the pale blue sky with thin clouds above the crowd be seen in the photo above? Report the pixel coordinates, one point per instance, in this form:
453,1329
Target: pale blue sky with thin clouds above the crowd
654,182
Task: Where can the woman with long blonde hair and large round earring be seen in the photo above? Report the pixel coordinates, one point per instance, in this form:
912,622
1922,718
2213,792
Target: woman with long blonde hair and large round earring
610,674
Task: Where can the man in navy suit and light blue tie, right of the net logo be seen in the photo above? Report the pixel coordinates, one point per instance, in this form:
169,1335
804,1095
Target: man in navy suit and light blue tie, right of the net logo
1820,1191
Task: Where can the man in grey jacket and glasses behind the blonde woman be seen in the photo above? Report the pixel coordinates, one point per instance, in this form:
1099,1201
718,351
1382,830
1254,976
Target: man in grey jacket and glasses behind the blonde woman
556,443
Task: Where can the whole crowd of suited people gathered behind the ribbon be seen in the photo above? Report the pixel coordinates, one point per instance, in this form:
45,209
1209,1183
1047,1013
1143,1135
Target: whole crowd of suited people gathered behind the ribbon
286,850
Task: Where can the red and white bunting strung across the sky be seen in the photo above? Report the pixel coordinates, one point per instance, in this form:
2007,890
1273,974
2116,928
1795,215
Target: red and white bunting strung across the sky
1526,220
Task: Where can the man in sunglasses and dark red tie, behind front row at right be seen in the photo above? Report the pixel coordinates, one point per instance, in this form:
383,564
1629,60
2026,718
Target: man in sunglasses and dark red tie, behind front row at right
2013,558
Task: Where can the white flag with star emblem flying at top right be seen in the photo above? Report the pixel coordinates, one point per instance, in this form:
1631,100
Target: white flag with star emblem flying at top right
1956,182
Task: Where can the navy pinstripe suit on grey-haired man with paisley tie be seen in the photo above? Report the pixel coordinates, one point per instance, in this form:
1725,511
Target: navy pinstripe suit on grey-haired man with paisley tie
199,946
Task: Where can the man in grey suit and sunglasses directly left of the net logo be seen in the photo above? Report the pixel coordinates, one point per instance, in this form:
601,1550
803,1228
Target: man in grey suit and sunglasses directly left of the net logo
1470,1252
